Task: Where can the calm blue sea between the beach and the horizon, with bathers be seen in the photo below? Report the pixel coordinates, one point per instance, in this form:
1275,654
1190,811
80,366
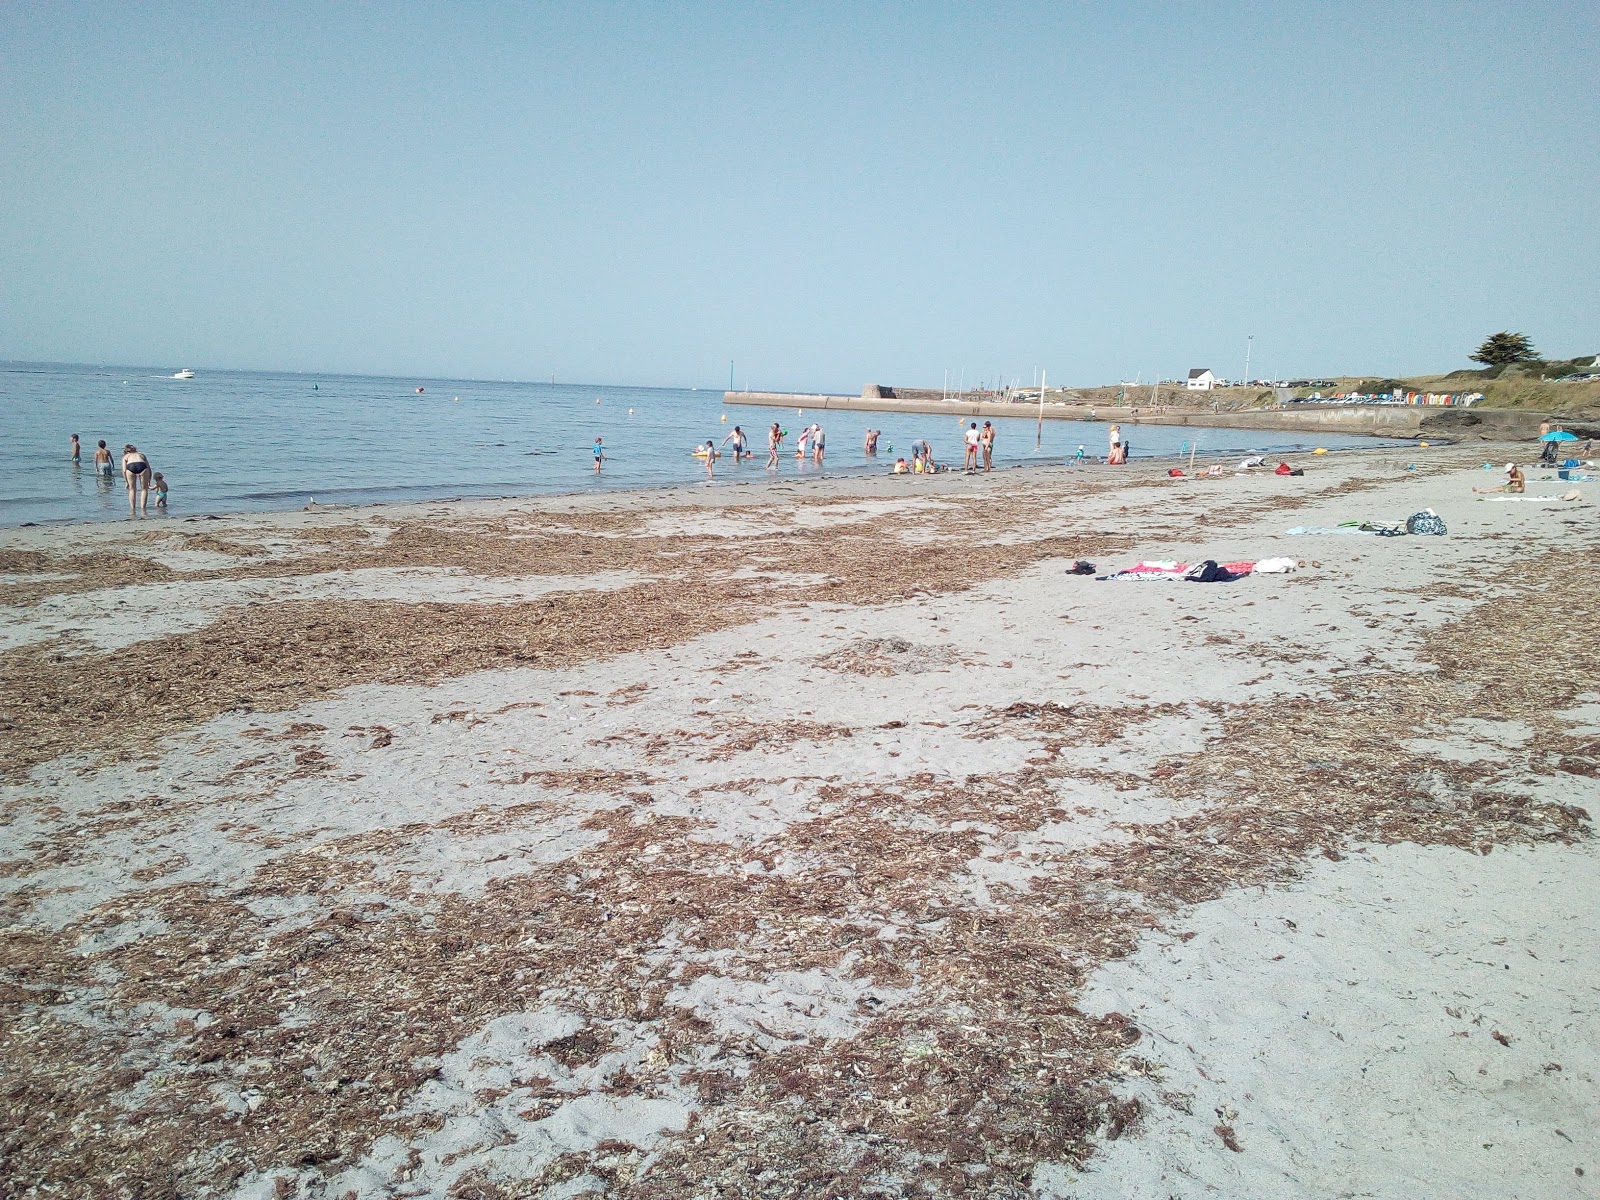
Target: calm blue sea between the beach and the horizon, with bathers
255,441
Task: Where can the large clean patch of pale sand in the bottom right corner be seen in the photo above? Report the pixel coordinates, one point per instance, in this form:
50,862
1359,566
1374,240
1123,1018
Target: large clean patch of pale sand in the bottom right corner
1345,1028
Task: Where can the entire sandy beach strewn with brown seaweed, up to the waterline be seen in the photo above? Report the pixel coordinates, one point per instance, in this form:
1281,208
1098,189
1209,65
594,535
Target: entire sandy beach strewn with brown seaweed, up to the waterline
823,839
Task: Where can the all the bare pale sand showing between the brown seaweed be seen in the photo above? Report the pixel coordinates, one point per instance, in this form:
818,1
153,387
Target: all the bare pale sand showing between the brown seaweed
1361,1063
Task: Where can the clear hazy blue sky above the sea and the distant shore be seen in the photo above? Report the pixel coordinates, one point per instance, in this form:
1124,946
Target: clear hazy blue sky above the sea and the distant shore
825,194
